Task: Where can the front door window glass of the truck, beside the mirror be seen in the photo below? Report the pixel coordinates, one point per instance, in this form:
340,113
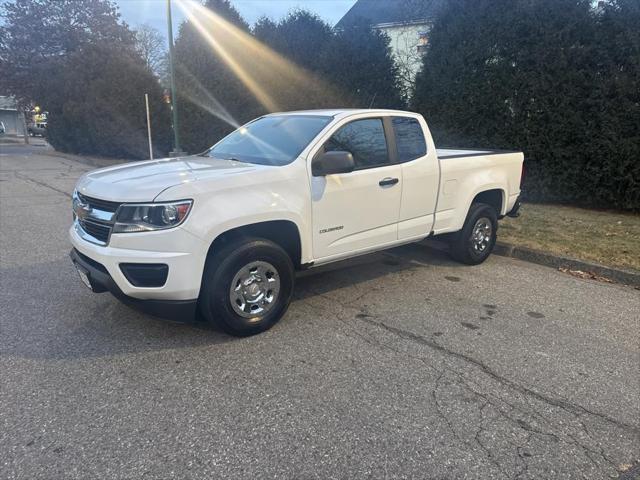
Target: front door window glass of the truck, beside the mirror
364,139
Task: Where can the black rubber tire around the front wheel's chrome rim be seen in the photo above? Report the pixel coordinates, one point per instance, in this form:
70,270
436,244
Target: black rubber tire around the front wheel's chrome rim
221,268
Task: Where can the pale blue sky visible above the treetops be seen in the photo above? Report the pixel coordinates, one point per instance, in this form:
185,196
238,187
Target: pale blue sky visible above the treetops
153,12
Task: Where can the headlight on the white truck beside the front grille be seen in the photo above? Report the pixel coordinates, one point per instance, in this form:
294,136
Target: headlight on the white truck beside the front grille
144,217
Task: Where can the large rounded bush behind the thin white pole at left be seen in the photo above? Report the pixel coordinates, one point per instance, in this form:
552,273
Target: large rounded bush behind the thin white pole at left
96,105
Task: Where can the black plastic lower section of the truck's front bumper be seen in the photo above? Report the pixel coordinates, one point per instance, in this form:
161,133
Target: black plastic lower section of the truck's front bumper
101,281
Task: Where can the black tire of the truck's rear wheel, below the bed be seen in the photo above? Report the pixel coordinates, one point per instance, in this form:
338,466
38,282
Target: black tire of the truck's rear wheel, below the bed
464,248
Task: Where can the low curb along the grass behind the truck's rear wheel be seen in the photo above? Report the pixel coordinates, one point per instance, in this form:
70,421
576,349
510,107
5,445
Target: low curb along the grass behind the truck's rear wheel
626,277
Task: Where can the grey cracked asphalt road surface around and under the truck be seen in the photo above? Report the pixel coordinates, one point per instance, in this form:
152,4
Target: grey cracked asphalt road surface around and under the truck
397,365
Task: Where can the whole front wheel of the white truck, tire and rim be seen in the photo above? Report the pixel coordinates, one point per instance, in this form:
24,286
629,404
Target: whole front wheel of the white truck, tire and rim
247,286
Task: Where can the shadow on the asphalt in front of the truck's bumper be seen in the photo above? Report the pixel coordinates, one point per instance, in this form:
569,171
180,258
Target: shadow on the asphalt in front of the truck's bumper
48,314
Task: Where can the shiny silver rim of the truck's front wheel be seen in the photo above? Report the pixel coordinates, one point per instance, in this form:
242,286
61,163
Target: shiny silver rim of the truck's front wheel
254,290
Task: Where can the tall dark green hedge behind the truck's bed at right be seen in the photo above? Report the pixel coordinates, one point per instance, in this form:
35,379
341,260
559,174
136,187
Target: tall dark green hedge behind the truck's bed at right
554,78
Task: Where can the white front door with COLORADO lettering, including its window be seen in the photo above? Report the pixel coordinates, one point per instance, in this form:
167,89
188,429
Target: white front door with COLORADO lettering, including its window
357,211
